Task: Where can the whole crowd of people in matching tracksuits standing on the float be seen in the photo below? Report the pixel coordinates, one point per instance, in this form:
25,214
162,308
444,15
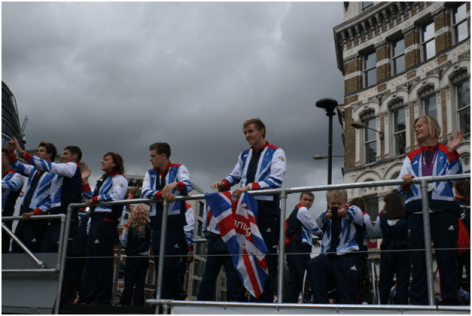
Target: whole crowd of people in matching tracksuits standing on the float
342,228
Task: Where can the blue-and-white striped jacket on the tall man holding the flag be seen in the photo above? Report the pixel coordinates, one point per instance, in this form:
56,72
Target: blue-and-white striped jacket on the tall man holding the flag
270,170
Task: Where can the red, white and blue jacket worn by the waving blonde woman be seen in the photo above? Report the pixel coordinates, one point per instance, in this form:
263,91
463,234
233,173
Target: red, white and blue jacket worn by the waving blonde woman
446,163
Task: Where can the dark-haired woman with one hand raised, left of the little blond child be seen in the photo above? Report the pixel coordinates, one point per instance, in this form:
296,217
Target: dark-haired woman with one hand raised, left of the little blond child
112,186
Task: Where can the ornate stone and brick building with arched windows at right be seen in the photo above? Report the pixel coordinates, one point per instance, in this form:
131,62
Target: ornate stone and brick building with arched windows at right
400,60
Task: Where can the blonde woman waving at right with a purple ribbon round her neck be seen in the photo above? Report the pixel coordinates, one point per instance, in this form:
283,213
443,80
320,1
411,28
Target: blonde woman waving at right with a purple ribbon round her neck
432,159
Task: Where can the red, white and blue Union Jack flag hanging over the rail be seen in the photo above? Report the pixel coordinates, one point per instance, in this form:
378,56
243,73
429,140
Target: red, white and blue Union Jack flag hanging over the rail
236,220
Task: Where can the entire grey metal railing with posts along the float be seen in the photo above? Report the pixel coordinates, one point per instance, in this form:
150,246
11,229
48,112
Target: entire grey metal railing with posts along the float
423,181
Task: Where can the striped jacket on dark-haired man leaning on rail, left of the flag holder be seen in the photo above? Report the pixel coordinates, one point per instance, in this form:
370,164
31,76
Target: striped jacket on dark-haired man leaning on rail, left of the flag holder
176,173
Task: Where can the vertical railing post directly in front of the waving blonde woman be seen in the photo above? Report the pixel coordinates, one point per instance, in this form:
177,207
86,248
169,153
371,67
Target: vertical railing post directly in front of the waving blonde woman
427,242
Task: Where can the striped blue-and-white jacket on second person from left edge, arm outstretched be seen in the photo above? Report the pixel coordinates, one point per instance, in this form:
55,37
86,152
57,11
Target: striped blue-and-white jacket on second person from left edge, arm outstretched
42,198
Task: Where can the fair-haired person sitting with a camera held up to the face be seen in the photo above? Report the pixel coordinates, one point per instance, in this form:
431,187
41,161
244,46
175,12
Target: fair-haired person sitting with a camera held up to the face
343,234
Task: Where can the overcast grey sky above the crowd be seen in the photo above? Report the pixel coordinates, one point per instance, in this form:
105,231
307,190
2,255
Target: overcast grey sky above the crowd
121,76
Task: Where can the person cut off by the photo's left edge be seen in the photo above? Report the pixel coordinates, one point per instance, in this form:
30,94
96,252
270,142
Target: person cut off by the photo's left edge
12,183
